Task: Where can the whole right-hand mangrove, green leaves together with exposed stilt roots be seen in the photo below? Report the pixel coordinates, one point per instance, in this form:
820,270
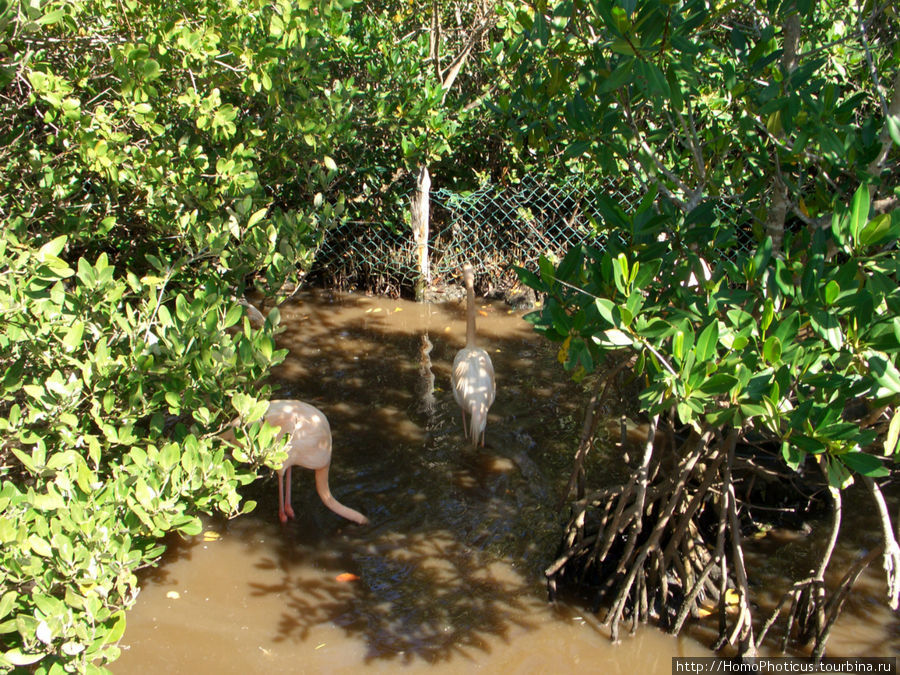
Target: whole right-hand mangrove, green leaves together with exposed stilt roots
754,288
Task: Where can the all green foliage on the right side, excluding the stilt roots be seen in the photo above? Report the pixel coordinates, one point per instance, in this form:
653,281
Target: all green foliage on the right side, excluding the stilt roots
698,105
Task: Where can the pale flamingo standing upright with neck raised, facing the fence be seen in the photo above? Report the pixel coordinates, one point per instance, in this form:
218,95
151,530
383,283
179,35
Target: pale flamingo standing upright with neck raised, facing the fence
474,387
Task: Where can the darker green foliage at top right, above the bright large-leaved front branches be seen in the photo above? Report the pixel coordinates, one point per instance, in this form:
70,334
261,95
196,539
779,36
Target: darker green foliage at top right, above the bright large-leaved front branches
695,100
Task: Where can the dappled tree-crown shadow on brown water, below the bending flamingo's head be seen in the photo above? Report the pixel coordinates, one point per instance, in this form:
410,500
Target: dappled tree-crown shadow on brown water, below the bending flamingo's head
421,595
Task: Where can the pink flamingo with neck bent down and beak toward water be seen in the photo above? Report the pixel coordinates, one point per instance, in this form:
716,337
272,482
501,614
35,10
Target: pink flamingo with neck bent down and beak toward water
309,447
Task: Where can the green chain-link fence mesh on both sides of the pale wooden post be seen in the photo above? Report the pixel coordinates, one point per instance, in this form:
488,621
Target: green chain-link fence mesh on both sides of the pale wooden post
492,227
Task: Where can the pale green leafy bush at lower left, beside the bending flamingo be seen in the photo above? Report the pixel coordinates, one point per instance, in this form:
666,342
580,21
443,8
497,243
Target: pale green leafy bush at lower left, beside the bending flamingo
110,401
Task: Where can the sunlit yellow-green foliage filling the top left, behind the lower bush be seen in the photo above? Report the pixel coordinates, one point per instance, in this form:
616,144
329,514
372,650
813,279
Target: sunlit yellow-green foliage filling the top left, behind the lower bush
201,132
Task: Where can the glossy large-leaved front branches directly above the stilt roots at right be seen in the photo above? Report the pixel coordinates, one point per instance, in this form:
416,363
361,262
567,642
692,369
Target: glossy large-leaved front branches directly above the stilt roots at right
795,350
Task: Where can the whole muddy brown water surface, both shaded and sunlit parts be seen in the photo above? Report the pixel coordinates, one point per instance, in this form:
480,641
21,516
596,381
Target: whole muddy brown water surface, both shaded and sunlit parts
448,575
